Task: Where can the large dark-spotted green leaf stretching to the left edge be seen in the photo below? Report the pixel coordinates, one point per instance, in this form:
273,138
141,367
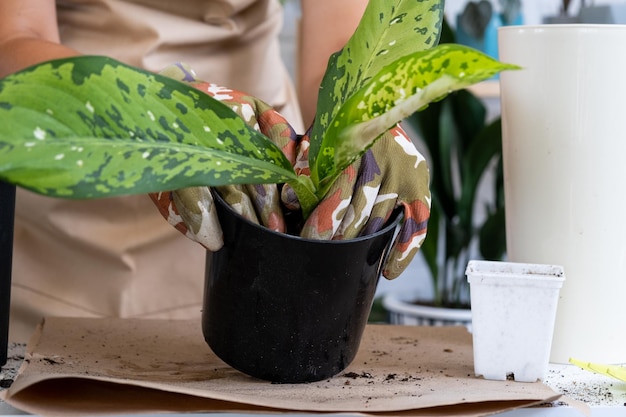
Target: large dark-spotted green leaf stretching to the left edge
89,127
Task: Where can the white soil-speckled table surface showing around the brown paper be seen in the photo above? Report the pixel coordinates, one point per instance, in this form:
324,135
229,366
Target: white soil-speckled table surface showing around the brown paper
605,396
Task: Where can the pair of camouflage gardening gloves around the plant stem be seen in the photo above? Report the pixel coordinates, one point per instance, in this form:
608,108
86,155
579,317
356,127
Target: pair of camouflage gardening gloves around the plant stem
392,174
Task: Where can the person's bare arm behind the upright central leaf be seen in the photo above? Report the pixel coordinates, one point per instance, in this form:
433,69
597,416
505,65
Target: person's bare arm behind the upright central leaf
325,28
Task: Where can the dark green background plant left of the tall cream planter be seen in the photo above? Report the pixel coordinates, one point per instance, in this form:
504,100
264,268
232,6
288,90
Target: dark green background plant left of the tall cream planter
462,147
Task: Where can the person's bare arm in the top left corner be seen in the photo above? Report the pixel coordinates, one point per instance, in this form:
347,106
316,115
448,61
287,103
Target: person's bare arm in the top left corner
29,34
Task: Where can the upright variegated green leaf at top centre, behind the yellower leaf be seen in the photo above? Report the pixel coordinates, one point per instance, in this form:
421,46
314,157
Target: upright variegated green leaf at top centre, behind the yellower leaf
387,31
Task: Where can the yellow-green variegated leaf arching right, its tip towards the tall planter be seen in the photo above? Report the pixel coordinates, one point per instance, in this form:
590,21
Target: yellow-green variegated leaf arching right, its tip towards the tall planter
400,89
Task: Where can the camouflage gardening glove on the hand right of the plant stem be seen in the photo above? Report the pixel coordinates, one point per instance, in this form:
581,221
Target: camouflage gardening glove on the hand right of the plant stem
392,174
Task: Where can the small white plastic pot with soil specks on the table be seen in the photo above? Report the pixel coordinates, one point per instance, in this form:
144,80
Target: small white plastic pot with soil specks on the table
513,313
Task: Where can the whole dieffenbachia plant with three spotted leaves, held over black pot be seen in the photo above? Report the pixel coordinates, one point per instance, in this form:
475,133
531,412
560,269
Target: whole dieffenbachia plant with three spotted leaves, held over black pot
88,127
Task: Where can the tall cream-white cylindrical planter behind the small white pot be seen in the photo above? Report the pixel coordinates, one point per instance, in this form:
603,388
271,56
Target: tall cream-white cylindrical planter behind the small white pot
563,148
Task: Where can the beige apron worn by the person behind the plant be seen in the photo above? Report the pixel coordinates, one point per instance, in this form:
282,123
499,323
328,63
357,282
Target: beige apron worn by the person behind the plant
118,257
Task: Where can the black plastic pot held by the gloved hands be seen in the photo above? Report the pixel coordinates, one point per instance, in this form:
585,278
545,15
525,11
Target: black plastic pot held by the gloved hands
286,309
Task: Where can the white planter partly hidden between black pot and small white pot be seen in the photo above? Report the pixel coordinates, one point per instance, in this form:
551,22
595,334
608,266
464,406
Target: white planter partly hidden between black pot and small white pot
403,310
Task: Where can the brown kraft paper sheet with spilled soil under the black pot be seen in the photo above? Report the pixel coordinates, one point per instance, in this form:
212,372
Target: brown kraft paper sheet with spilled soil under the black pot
80,366
